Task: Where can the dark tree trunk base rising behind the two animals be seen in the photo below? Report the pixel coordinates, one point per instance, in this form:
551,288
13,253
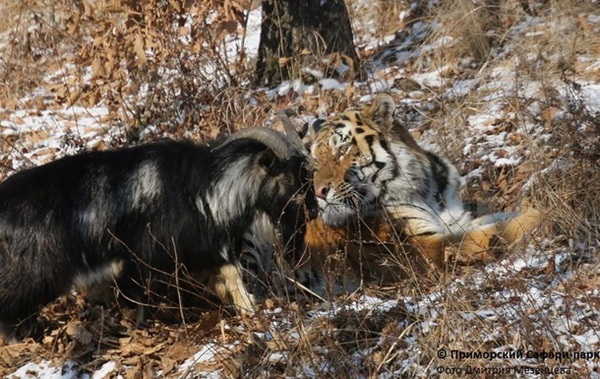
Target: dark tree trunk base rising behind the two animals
301,33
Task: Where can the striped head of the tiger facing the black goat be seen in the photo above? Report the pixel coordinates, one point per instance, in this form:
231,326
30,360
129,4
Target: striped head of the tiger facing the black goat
354,160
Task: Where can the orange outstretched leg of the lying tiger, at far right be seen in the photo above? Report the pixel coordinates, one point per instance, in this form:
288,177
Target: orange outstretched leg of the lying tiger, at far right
484,235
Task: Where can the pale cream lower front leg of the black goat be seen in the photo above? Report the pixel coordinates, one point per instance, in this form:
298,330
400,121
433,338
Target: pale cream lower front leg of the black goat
230,287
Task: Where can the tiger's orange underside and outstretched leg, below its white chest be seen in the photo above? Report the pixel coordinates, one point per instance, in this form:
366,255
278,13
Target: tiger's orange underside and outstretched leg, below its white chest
375,251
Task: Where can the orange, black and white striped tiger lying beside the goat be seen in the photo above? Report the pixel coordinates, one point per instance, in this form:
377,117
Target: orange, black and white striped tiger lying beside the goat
371,174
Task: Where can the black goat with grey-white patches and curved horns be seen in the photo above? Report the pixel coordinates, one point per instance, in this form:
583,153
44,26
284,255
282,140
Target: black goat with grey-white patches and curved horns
134,214
